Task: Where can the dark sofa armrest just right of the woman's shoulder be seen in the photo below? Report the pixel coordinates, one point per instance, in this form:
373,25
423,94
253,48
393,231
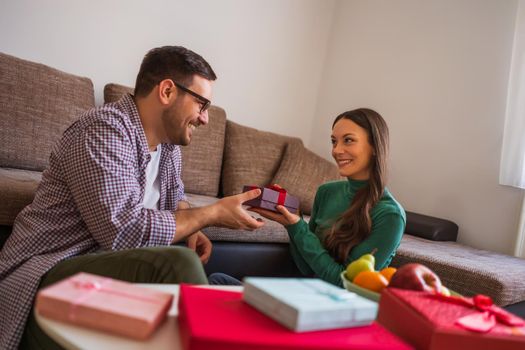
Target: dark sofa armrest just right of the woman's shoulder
429,227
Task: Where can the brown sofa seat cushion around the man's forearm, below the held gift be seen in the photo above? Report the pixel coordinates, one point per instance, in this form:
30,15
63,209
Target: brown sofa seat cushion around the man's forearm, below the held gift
270,232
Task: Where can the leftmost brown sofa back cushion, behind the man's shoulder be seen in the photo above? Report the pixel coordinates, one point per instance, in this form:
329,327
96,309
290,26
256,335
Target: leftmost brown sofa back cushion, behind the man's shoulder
37,103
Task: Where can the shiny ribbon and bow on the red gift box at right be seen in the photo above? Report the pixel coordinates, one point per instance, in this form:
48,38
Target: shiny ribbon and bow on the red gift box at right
486,317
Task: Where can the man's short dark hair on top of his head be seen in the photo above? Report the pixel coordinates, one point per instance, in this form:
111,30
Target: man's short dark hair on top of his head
170,62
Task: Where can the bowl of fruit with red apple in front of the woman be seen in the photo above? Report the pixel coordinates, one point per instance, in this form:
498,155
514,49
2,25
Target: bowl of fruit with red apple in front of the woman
361,278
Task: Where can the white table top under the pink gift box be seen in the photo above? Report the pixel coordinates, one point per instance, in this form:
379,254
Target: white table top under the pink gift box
166,337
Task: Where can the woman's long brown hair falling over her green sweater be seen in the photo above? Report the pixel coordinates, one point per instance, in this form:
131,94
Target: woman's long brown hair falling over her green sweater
355,224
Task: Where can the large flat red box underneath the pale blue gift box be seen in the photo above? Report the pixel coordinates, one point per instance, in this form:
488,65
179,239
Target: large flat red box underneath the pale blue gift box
221,320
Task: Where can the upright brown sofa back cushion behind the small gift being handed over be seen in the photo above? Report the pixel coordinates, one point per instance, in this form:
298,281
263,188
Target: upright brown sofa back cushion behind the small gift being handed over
251,157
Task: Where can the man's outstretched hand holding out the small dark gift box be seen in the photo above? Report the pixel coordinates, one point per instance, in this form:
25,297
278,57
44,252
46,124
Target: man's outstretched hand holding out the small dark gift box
230,213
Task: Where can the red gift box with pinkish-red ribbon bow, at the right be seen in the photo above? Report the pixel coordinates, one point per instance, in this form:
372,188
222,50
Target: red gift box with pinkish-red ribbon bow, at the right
430,321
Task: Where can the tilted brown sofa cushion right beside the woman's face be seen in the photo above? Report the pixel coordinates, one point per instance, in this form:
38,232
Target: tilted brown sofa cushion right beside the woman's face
302,171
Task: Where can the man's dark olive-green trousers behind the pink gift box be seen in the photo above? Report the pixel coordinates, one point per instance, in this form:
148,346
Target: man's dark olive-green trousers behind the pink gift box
172,264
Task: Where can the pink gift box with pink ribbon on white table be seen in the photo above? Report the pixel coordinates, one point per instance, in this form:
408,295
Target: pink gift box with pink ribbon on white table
105,304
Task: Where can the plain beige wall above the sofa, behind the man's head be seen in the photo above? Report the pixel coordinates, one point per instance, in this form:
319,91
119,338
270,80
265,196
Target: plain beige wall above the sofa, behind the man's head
268,54
